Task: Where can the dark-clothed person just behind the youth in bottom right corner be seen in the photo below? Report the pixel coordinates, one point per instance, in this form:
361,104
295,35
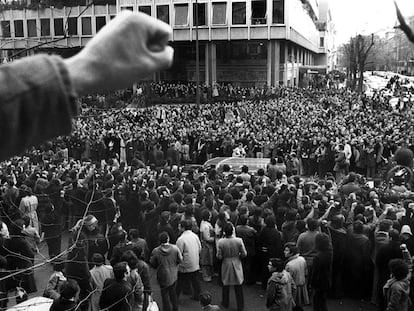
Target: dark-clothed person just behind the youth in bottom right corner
385,254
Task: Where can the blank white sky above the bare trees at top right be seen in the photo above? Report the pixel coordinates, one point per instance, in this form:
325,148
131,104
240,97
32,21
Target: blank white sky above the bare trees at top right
352,17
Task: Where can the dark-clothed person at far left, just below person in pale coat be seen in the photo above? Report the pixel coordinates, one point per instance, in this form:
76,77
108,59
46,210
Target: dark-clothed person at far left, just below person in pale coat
20,256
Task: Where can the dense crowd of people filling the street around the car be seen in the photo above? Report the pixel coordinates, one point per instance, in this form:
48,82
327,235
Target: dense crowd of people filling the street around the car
335,191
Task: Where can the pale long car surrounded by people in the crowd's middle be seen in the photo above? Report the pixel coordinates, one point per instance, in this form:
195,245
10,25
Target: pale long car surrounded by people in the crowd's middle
237,163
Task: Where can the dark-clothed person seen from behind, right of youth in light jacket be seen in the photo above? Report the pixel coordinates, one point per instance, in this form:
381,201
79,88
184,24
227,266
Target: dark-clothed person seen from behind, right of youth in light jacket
321,277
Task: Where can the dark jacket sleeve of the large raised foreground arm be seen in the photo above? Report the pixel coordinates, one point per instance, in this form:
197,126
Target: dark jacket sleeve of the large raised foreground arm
37,102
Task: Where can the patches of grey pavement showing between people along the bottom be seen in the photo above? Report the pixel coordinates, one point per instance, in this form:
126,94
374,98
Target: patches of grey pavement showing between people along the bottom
254,295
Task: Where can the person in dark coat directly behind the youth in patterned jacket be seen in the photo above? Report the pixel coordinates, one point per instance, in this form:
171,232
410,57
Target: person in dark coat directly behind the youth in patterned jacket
269,242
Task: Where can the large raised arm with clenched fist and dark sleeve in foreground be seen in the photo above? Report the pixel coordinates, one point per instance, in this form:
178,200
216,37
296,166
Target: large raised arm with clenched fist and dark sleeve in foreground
38,94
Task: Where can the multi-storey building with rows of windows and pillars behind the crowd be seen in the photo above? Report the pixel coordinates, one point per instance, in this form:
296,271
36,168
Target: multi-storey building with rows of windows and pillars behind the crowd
246,42
